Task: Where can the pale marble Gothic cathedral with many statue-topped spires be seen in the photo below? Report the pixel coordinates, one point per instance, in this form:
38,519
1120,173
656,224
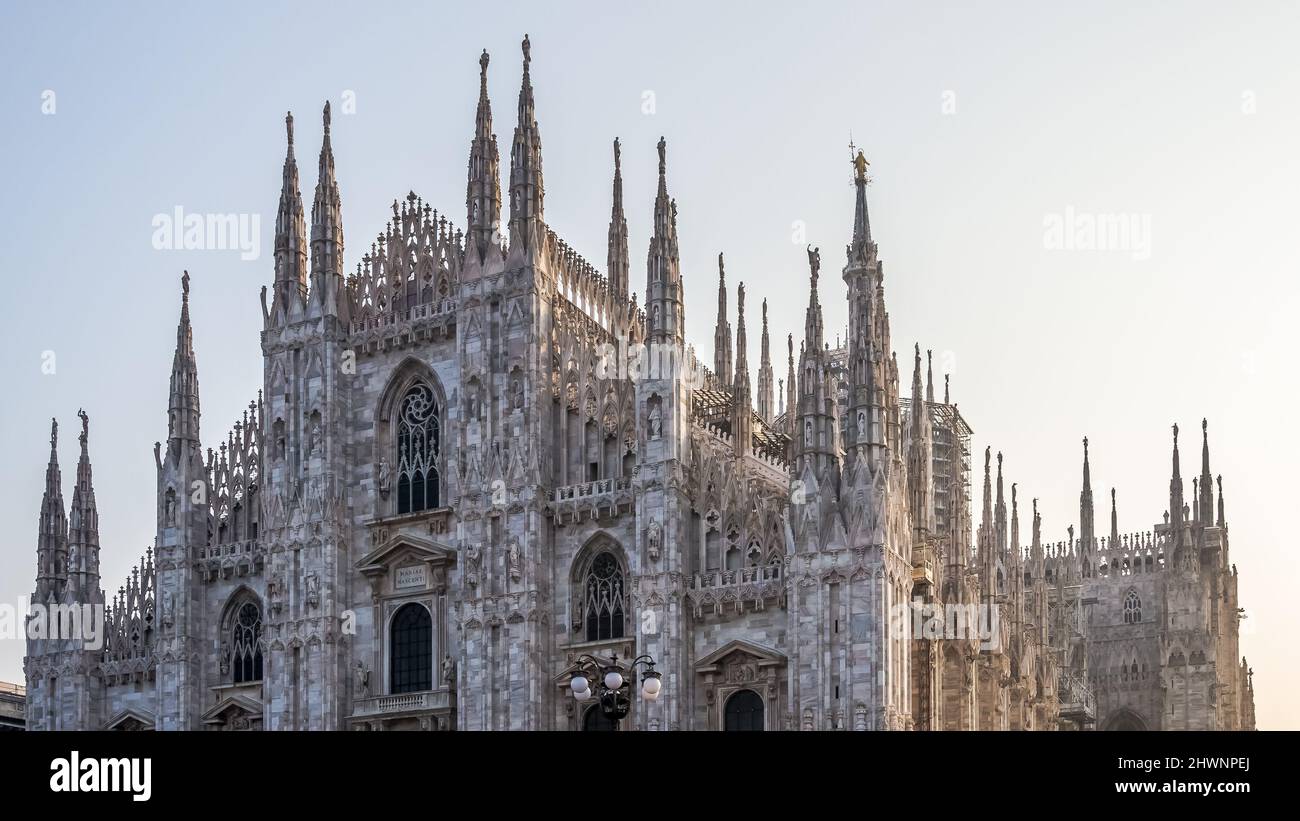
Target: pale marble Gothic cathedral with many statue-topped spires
478,459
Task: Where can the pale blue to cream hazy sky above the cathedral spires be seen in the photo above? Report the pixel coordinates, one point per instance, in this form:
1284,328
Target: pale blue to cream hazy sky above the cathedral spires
986,127
